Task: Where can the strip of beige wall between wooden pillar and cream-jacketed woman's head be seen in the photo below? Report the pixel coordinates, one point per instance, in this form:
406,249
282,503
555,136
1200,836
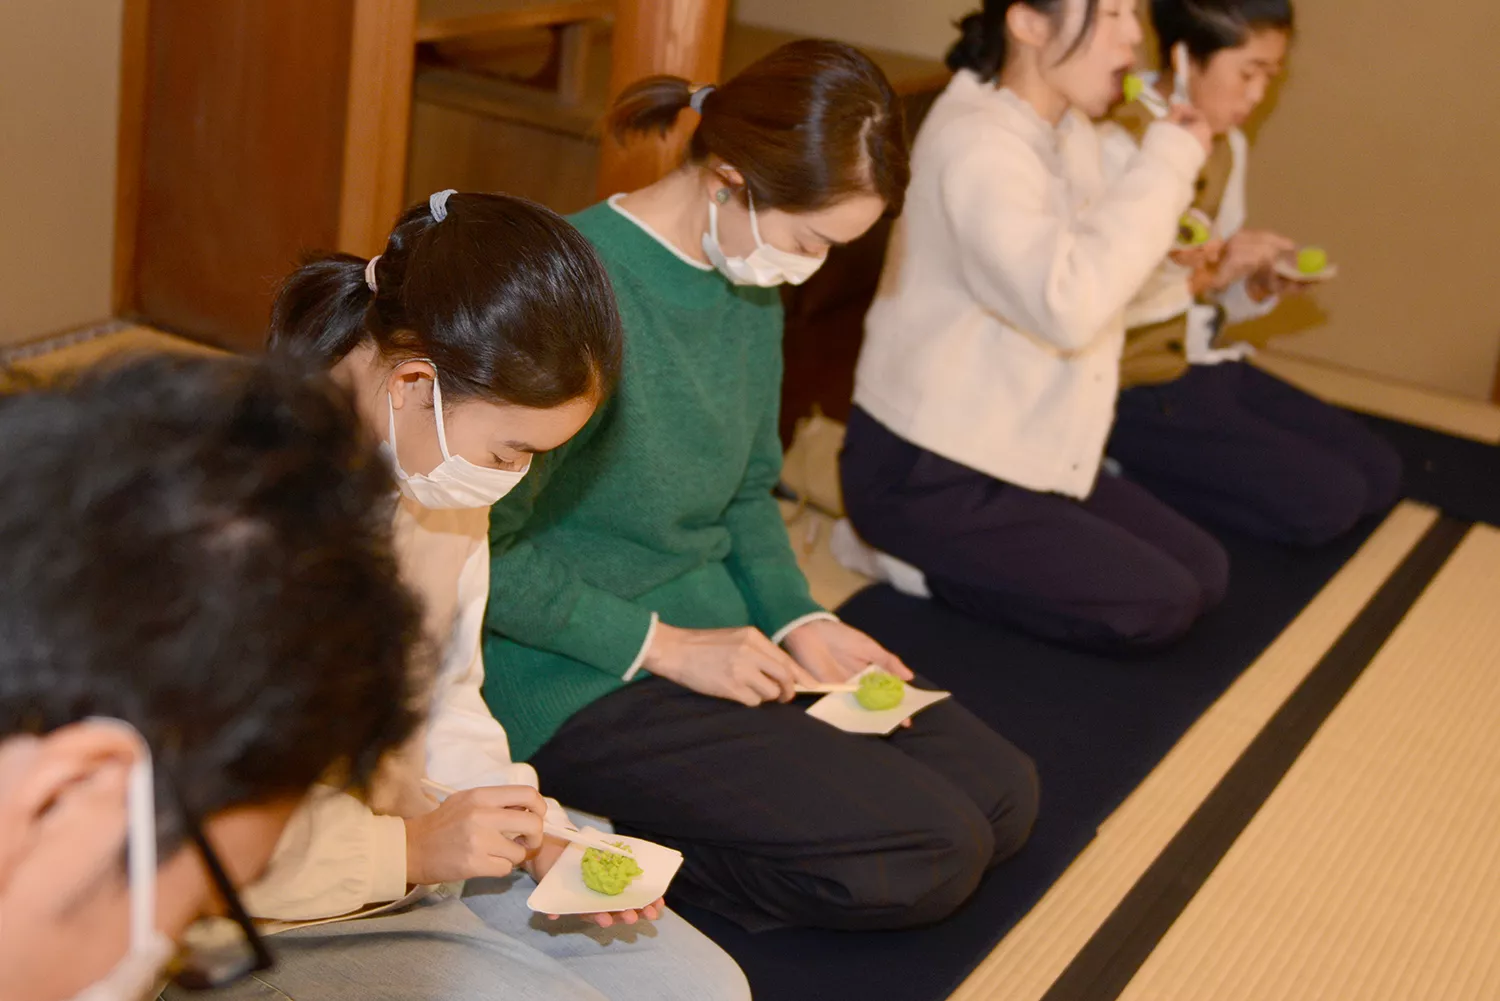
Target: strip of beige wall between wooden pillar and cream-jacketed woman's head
920,28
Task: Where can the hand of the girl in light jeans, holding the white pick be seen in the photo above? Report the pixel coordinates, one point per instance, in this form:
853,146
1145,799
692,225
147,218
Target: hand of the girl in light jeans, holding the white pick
485,832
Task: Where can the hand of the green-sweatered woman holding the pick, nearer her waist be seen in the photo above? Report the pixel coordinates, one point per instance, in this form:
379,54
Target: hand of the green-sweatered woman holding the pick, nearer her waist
731,664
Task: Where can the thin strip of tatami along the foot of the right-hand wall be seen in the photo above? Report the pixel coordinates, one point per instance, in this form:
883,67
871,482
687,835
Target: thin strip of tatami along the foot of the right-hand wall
1409,404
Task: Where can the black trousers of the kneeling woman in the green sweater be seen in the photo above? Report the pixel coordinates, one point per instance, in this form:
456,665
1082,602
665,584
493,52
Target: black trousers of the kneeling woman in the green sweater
787,822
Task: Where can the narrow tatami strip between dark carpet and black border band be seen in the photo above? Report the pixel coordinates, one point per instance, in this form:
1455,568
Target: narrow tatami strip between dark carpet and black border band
1040,948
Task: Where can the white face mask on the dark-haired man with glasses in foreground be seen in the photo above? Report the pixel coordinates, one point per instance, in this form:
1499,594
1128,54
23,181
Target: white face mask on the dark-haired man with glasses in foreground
137,976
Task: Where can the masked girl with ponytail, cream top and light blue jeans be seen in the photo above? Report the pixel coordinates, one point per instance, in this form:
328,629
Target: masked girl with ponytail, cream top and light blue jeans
482,337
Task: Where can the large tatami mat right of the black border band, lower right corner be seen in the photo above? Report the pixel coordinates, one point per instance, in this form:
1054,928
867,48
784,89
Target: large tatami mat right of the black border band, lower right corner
1373,871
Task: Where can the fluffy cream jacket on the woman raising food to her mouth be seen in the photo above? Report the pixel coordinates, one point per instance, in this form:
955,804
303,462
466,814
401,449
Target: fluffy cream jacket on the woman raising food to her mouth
995,340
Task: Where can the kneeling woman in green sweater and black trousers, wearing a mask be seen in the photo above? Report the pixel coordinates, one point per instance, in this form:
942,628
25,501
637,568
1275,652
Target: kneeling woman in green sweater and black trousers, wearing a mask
649,624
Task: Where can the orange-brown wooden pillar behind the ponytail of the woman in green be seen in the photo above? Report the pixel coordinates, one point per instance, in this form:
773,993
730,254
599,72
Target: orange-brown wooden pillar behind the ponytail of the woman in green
685,38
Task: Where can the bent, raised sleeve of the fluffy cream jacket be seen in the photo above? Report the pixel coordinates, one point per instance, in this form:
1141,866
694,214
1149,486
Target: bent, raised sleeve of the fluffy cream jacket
1063,277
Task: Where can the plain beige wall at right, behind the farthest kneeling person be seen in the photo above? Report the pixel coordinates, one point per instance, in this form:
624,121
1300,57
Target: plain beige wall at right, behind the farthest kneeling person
1384,146
